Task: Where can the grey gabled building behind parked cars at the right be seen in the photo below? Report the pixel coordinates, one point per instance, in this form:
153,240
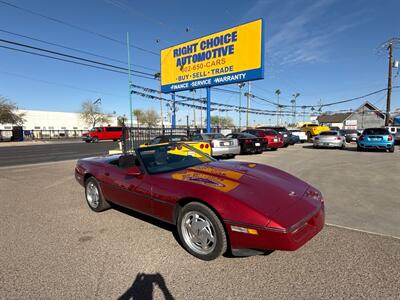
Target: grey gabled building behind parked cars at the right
367,115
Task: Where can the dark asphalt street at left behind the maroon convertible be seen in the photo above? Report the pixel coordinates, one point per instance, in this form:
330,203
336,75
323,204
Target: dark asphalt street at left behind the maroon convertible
32,154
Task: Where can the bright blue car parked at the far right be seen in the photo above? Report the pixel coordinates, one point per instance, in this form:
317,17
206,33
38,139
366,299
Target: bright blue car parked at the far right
376,138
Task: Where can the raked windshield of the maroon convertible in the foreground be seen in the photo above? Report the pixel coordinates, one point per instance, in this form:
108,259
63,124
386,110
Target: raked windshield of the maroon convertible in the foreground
171,157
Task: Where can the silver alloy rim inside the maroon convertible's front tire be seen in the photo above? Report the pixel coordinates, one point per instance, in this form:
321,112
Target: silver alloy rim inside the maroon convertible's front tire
198,232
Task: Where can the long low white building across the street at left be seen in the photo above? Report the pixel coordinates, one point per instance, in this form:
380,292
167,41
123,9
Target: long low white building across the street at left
51,120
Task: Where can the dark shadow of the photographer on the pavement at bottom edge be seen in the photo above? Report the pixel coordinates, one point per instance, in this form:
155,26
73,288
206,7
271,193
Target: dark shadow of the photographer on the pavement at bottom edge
143,286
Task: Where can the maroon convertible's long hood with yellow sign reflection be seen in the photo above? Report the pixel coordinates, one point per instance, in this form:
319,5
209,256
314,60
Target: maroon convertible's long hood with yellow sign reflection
264,188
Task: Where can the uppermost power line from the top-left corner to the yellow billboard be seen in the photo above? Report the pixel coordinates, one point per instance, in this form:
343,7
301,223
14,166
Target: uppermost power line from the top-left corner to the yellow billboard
75,26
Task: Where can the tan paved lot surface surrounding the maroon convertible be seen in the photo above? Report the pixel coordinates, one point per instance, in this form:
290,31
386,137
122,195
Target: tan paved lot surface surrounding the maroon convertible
54,247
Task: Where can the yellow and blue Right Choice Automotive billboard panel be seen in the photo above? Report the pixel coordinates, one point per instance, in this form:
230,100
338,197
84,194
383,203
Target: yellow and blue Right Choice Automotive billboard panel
229,56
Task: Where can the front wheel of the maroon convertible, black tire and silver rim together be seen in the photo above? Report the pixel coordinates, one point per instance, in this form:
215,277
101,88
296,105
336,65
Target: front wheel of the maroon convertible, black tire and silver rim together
201,232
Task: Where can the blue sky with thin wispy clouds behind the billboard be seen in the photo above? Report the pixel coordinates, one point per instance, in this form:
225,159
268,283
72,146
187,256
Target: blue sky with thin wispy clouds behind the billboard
326,50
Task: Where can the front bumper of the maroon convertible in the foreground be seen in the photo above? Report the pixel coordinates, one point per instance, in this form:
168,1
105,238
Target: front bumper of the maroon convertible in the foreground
270,239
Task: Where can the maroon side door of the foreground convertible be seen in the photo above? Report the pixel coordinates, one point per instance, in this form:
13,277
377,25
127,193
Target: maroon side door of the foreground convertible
133,192
